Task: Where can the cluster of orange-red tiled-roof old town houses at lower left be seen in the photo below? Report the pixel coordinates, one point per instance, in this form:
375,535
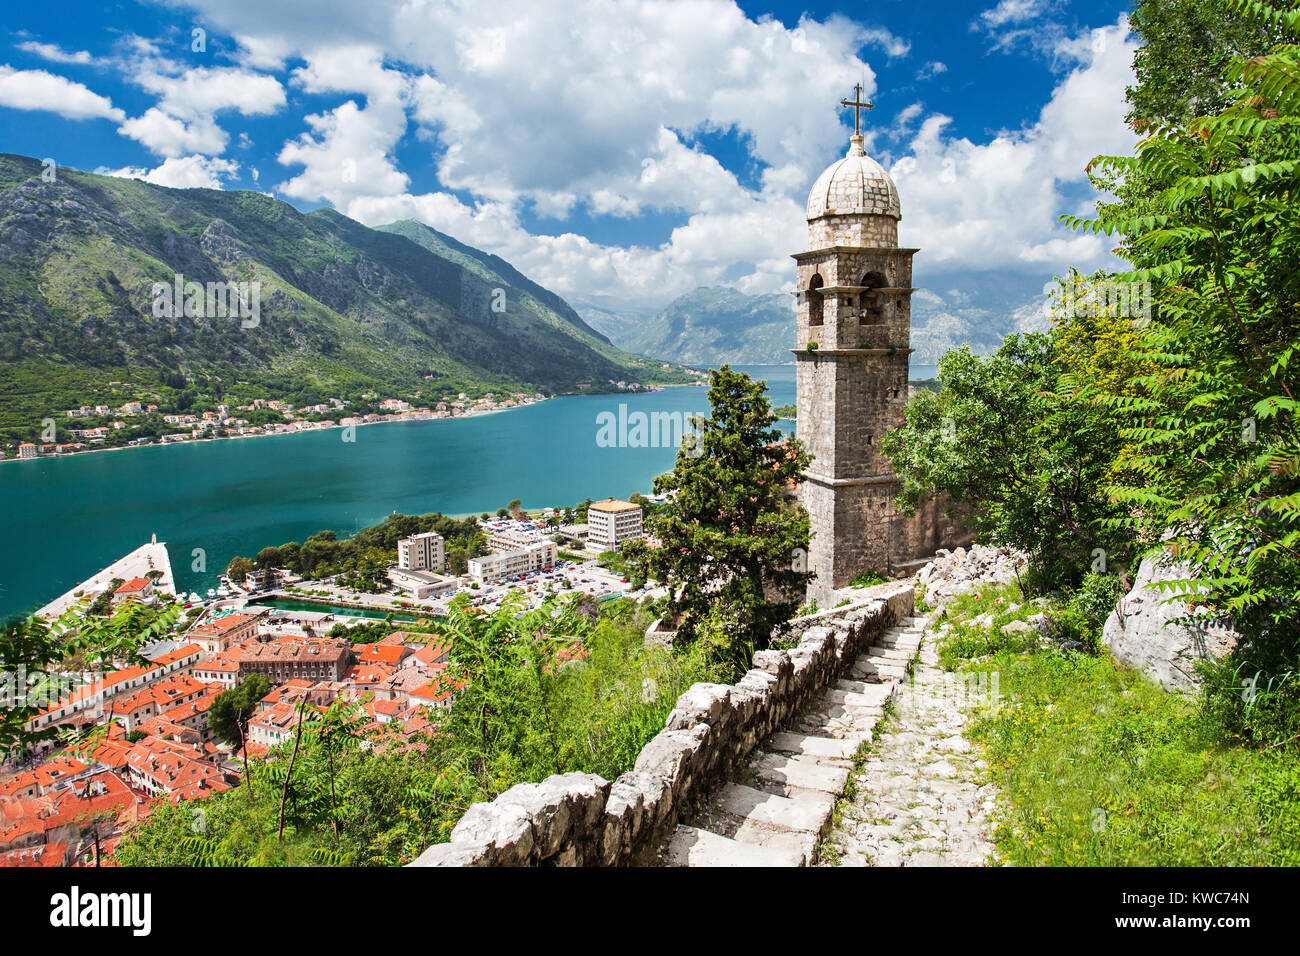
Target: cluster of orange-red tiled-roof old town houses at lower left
157,742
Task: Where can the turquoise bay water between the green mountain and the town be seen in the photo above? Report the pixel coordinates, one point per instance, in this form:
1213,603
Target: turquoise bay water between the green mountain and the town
70,518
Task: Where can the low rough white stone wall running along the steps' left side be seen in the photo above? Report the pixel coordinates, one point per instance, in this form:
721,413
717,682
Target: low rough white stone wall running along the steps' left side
583,820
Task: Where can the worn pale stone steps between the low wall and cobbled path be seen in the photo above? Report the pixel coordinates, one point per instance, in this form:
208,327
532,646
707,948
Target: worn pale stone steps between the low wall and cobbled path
777,808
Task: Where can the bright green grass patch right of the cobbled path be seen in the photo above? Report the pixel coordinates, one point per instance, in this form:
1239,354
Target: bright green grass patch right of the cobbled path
1099,767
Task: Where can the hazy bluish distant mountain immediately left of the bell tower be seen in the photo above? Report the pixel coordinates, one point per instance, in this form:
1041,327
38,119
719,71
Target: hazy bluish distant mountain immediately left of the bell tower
716,325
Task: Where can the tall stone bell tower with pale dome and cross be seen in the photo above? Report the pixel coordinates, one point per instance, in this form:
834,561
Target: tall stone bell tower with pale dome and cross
855,321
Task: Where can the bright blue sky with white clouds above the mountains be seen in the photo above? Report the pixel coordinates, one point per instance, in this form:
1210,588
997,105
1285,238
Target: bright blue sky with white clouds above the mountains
621,153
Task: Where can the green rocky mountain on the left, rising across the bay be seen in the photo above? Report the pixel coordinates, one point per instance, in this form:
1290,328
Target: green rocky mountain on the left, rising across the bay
344,309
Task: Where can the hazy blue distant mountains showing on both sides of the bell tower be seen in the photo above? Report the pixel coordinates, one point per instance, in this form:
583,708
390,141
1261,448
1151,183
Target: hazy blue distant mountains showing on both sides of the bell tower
716,325
